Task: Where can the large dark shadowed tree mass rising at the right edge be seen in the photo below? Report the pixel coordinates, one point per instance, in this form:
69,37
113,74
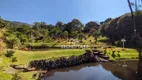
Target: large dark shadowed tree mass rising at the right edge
123,27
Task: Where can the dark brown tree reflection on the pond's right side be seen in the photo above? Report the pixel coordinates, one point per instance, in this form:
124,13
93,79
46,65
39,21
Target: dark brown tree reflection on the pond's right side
124,73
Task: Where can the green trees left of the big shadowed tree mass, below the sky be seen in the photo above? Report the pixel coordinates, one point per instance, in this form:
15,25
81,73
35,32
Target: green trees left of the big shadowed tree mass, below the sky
20,35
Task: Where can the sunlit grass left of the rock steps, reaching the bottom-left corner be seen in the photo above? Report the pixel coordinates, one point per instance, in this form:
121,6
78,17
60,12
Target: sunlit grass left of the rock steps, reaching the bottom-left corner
24,57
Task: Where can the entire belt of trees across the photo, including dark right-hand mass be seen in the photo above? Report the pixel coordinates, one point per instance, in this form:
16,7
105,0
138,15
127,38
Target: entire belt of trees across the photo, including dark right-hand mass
20,35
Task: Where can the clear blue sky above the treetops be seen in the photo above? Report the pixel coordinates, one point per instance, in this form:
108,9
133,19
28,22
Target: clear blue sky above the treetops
51,11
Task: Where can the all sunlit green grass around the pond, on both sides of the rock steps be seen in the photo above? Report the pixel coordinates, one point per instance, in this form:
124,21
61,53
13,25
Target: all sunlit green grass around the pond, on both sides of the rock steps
24,57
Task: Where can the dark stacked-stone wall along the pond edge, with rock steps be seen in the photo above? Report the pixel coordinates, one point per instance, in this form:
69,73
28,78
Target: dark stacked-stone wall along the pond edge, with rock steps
94,56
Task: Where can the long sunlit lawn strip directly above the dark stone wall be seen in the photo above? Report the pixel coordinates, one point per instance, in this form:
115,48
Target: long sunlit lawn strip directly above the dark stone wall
26,56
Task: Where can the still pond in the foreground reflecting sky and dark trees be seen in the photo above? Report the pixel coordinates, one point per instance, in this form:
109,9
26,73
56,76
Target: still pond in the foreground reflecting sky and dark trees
124,70
